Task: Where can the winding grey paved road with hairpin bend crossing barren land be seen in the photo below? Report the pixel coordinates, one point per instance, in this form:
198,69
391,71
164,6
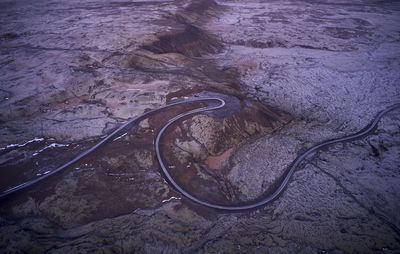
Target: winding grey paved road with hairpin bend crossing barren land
367,130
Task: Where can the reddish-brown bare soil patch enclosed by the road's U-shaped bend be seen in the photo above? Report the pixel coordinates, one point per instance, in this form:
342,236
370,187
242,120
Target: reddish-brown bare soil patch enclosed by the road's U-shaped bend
197,150
